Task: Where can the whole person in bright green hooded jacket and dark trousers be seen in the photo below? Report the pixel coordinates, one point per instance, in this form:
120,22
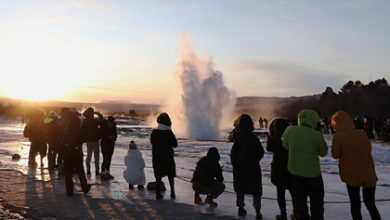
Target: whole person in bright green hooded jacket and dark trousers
304,144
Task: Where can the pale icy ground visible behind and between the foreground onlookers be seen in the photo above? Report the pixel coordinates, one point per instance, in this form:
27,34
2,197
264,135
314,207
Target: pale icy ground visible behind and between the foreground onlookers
186,156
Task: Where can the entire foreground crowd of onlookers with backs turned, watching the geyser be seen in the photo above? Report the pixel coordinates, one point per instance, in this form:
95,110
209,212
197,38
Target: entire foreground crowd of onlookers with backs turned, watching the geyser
295,166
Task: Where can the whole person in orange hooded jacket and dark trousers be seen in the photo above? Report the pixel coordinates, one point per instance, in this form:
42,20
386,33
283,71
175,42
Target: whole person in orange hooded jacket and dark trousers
353,149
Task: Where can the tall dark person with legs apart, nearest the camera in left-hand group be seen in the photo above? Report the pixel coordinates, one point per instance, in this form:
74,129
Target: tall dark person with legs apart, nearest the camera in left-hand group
73,153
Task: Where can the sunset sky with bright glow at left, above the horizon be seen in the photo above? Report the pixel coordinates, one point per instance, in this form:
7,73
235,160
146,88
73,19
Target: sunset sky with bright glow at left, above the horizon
95,50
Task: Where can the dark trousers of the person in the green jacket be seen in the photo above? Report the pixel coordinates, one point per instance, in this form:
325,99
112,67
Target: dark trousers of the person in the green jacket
312,187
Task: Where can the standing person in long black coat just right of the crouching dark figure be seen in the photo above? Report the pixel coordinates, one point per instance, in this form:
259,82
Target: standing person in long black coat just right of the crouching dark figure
245,157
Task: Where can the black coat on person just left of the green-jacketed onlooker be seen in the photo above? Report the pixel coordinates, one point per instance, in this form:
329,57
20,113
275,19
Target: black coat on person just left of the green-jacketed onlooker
279,173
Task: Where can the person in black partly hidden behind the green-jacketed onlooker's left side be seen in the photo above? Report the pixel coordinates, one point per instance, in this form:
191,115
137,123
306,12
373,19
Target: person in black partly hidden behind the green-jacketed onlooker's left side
280,176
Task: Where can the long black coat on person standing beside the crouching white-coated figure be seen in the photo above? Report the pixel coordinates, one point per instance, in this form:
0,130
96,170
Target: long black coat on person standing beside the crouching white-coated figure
163,142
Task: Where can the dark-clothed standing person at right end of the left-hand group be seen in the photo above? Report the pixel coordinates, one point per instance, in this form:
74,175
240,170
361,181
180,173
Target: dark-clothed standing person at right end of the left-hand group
107,143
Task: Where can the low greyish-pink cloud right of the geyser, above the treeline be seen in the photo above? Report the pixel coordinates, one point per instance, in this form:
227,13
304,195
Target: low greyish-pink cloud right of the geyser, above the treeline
283,79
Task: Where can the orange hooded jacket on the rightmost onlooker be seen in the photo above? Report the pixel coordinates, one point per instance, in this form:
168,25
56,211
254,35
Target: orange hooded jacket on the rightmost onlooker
353,149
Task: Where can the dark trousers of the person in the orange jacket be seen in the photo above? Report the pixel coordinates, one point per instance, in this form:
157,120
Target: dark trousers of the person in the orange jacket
369,201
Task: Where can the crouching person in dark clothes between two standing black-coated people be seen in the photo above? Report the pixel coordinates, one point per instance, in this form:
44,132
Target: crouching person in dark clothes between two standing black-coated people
207,178
